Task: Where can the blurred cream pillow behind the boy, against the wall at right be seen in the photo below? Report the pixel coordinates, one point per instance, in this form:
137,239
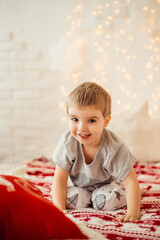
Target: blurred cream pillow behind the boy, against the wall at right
140,133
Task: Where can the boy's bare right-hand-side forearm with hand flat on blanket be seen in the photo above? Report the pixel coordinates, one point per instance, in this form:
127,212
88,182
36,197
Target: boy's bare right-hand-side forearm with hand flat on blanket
133,196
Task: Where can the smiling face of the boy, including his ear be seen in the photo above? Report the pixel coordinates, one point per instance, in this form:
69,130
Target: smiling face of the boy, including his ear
86,124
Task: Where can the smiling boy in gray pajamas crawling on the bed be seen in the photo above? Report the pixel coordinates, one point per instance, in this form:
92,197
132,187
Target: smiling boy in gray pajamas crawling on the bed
98,163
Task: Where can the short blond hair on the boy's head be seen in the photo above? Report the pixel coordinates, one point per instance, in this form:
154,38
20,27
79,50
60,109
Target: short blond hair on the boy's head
90,94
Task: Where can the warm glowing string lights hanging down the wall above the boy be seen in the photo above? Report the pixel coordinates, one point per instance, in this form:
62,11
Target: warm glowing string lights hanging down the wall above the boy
105,39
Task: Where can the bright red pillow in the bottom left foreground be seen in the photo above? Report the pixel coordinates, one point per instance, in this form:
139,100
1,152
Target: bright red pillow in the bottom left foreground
25,214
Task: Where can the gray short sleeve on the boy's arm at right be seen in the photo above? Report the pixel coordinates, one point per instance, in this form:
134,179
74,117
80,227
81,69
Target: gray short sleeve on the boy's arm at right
121,163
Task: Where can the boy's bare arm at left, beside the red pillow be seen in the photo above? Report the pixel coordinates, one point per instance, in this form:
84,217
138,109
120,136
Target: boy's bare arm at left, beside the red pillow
59,188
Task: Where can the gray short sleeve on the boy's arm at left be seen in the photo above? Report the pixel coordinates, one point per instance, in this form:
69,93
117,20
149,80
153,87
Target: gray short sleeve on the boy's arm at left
60,156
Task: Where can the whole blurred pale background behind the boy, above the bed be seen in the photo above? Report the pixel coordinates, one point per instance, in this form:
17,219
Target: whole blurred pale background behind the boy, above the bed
48,47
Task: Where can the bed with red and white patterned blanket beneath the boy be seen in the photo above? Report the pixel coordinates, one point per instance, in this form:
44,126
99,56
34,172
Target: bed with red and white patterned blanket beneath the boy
101,224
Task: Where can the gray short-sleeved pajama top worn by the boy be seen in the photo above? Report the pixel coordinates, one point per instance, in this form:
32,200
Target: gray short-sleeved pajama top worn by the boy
113,160
